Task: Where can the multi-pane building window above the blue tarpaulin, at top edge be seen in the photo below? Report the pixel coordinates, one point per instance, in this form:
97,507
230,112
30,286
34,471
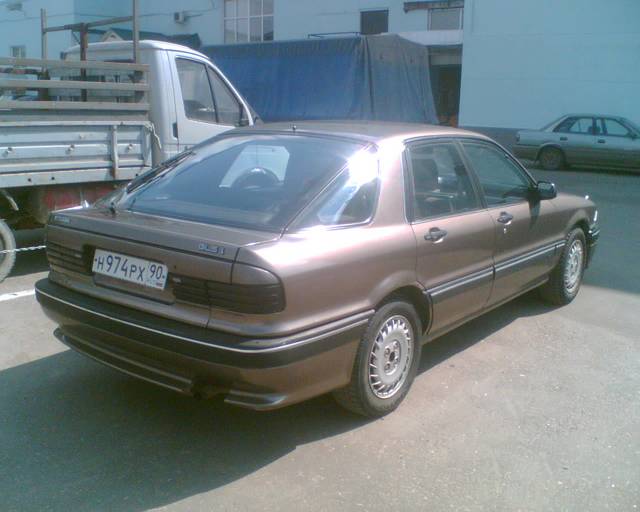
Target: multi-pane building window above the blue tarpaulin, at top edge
248,20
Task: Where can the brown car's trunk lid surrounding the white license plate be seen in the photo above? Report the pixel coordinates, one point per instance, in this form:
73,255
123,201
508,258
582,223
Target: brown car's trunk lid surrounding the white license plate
191,251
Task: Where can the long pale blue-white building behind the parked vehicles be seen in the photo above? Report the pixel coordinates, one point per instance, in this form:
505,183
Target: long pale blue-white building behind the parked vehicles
501,64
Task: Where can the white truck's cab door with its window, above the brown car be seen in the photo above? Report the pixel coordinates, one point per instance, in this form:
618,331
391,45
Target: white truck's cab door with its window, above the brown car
205,104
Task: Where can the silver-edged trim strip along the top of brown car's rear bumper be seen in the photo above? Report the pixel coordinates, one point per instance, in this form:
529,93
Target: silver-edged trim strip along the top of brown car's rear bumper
283,343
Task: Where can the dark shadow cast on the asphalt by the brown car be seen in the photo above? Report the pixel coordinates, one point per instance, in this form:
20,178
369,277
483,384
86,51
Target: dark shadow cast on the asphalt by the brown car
75,435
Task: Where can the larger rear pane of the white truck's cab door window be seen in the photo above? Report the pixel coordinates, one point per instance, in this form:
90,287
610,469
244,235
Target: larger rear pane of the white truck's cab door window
196,91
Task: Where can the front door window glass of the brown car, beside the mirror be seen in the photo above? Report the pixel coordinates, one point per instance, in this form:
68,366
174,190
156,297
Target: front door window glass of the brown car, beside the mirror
501,179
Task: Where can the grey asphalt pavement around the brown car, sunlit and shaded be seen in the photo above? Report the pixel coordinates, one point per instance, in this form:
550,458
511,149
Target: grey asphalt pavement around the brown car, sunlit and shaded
526,408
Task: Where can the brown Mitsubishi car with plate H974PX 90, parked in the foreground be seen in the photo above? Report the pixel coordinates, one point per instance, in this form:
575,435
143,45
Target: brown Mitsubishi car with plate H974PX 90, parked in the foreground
276,263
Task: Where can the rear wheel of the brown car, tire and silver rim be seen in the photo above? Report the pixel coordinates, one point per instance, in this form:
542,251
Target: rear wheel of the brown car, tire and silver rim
386,362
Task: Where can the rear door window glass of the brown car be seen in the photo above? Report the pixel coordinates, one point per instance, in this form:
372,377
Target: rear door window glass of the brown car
441,185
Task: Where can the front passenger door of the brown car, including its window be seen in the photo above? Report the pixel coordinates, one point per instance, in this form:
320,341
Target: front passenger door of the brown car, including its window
528,232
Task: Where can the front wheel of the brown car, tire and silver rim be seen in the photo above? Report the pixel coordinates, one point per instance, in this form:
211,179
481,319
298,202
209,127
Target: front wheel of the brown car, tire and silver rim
566,277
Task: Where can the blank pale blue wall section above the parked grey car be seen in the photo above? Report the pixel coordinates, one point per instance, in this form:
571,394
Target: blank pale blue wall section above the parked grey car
527,62
